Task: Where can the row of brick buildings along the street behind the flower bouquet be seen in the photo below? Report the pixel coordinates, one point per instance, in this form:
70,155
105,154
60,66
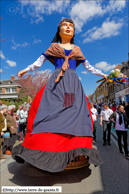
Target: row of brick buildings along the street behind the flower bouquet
108,92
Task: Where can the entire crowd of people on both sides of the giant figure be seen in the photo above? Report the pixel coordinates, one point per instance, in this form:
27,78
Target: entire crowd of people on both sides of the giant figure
13,124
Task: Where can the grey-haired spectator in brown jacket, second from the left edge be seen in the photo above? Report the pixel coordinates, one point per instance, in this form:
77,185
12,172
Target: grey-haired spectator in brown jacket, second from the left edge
11,120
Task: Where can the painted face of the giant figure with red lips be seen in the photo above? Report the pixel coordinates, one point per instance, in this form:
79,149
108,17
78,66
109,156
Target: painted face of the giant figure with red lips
66,30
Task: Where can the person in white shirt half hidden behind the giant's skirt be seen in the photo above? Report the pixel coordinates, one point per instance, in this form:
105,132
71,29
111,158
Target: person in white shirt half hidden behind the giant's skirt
94,117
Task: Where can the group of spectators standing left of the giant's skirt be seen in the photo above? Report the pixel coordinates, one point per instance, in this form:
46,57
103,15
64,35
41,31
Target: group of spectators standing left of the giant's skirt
12,126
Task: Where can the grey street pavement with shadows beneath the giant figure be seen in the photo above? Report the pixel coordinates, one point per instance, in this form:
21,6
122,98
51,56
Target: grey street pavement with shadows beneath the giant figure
112,177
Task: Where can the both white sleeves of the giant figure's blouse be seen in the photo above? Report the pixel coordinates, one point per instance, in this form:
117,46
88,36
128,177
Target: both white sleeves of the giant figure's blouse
41,60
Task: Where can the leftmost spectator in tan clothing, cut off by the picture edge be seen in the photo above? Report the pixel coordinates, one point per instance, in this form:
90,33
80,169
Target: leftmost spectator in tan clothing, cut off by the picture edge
3,128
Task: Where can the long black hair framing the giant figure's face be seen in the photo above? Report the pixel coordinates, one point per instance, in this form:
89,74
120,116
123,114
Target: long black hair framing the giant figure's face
57,37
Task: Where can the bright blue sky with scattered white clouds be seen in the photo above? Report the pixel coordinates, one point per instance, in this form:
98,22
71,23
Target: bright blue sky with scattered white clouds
101,31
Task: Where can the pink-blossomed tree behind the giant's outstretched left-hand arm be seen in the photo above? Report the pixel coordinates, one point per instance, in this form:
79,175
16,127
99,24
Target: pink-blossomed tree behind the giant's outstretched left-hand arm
32,83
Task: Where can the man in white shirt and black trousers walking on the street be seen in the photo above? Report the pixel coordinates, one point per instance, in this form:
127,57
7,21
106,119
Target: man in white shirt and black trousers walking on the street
104,120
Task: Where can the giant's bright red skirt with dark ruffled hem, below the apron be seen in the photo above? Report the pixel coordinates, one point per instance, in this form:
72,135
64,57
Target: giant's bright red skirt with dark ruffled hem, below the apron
49,151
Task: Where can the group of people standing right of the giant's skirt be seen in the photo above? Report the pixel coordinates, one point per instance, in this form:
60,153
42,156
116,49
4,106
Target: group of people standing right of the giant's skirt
112,116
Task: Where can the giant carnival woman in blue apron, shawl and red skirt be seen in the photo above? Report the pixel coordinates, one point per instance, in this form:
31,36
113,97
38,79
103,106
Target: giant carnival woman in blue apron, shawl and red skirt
60,125
